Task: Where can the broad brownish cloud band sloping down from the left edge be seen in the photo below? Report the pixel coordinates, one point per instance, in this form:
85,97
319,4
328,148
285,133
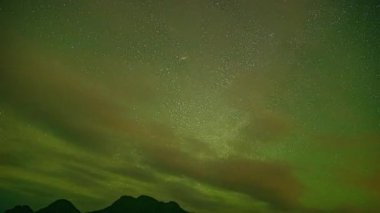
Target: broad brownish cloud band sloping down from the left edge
64,101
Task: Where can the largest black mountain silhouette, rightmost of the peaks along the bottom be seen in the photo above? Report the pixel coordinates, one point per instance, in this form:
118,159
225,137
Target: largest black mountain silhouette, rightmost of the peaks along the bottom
142,204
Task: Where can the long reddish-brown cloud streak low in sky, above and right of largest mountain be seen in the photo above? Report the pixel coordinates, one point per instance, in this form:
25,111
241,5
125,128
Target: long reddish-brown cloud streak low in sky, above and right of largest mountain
271,182
